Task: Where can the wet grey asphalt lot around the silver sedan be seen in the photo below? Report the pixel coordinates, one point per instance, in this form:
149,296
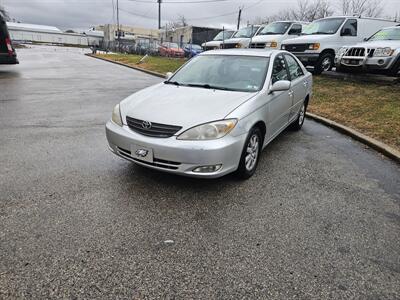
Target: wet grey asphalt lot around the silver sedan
319,220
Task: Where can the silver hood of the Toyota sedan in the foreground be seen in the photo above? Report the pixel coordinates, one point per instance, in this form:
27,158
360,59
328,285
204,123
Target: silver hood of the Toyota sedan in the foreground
181,106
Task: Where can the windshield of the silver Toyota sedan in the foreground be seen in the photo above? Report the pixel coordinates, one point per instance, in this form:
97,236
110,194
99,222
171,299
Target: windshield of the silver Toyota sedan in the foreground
223,72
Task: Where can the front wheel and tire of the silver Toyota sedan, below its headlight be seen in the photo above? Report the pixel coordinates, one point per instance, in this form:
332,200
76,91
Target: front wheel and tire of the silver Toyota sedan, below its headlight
250,154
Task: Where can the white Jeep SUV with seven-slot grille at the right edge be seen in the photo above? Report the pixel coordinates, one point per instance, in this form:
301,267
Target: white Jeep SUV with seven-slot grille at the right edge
379,53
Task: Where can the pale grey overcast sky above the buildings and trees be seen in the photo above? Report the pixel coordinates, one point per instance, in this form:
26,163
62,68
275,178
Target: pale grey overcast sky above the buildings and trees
81,14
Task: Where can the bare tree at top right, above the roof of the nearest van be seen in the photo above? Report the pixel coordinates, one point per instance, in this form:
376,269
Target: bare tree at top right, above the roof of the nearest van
366,8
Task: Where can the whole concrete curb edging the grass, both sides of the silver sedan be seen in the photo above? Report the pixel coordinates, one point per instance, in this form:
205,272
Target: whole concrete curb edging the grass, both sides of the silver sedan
371,142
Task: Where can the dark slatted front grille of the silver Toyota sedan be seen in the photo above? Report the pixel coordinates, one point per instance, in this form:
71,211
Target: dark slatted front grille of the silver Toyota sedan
155,130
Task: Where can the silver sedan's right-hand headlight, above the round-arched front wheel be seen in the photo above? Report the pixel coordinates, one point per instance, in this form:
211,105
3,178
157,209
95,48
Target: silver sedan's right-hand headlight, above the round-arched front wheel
209,131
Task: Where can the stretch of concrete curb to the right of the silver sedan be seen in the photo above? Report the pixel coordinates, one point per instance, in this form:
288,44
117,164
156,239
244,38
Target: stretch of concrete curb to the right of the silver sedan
371,142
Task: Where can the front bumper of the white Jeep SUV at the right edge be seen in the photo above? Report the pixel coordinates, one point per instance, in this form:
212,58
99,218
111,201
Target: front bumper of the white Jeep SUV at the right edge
367,63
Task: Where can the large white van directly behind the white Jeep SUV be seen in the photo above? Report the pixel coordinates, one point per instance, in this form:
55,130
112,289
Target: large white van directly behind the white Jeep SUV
322,38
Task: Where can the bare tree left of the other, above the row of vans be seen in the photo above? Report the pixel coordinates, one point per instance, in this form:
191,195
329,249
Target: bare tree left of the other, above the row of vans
306,10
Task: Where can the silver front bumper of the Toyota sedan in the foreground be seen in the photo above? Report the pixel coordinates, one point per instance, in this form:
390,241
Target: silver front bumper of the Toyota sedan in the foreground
177,156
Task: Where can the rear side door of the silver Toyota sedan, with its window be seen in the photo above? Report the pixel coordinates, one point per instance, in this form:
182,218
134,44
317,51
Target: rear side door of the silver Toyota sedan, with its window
299,85
